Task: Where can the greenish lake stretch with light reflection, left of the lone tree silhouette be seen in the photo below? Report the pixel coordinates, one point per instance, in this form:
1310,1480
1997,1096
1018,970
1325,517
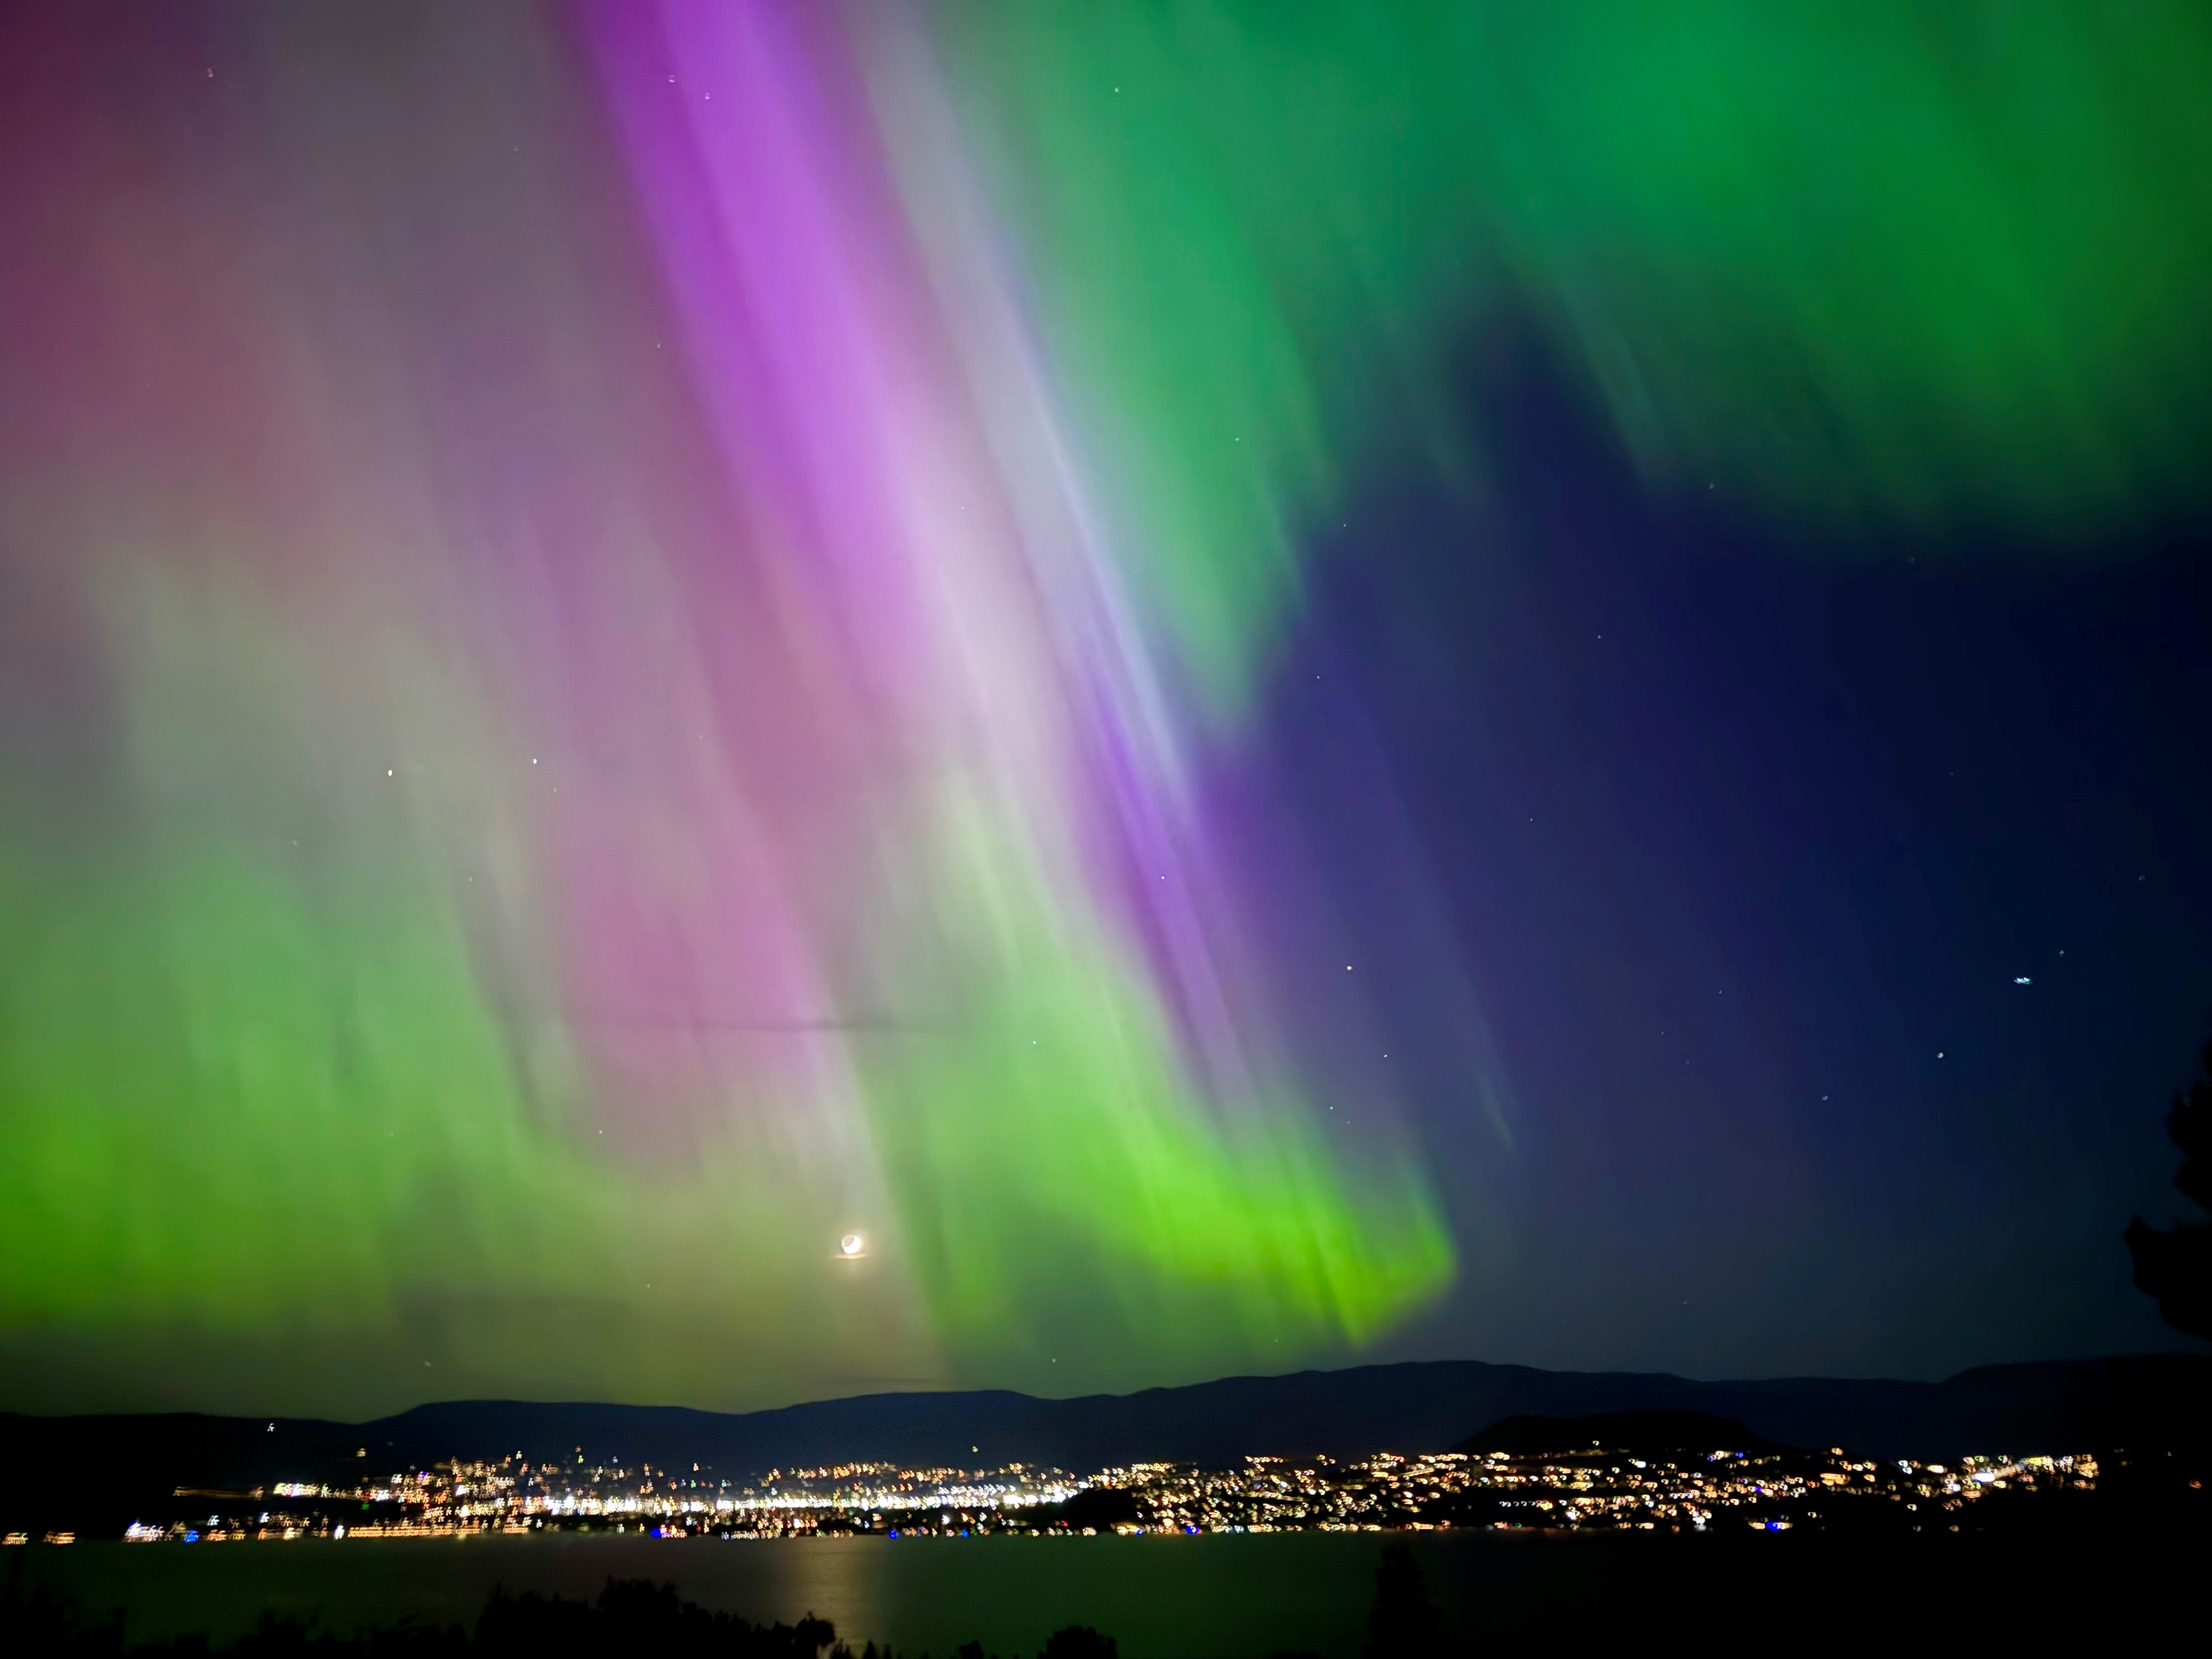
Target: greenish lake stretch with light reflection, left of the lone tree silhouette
1158,1596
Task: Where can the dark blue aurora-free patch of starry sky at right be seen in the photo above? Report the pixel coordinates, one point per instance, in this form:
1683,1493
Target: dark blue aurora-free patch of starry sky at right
1749,839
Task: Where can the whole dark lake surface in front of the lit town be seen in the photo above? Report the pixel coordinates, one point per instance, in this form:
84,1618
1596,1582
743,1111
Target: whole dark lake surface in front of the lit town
1160,1598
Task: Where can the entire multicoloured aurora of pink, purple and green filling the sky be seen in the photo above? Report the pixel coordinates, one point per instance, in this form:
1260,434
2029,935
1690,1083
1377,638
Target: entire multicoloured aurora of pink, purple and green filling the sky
643,636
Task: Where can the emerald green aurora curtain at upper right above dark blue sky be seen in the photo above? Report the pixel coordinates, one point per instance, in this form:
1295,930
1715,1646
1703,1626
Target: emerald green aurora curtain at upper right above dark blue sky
1908,262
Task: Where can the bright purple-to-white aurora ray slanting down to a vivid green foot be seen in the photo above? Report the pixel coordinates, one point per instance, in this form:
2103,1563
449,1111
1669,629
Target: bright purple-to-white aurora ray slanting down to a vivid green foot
1050,1149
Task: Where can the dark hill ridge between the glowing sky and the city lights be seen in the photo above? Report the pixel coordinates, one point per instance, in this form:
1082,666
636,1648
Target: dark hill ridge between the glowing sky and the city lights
1406,1408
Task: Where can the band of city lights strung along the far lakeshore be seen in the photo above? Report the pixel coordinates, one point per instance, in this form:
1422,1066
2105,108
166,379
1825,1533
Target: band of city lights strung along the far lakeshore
1587,1490
